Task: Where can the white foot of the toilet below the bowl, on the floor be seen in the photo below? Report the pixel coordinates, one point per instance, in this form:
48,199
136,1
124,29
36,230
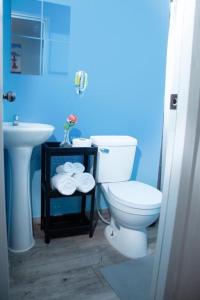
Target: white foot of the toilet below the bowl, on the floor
129,242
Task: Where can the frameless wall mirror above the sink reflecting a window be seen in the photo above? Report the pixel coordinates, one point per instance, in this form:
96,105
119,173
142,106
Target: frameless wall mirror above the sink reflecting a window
40,32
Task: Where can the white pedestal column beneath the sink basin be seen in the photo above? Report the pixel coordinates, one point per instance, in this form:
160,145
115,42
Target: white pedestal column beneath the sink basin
20,231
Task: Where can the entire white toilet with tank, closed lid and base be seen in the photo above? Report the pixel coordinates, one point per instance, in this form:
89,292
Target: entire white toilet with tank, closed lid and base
133,205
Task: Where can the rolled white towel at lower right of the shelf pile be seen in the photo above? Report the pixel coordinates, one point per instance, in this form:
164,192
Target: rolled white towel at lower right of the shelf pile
84,181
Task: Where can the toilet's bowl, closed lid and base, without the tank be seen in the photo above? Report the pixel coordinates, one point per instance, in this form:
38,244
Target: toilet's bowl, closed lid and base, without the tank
133,206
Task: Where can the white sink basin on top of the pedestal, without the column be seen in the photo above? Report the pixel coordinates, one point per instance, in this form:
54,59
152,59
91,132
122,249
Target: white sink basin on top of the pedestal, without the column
26,134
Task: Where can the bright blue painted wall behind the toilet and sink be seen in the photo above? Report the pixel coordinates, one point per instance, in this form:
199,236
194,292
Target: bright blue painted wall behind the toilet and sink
122,46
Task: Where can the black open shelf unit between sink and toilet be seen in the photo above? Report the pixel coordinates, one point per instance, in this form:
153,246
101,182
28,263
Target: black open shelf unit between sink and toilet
68,224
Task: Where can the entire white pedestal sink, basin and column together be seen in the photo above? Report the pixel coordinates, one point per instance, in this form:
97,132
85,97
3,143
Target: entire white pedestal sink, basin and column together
20,140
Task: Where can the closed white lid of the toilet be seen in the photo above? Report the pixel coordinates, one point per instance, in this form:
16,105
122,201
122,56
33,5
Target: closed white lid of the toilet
136,194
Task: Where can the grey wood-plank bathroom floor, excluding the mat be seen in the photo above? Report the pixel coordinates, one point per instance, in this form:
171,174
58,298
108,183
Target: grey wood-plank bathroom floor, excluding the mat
67,268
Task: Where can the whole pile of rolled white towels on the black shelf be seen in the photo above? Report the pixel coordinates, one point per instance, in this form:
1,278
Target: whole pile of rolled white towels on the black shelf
70,177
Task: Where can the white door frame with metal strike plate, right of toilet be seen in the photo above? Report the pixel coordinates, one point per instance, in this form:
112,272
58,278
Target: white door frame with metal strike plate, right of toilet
173,276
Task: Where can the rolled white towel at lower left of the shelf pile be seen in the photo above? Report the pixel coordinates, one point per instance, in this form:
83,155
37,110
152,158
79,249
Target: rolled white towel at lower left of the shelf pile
64,183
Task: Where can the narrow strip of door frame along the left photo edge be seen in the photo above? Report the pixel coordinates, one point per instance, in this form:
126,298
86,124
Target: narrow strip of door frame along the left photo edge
4,276
